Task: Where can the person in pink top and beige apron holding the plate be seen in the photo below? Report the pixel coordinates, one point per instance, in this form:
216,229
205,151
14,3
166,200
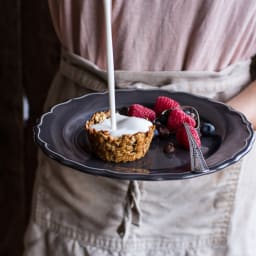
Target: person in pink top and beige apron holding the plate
201,47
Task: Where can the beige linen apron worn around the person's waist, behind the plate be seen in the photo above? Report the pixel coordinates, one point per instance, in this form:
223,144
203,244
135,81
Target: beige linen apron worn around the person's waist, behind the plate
79,214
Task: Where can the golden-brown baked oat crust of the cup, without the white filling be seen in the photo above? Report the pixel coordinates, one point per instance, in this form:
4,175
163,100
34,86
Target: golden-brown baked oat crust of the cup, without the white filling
125,148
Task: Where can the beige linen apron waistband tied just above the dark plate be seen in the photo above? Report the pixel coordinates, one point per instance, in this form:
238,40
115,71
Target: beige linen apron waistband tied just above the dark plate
221,85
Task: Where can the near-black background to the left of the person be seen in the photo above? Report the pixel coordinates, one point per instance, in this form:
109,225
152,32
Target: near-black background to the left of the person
29,56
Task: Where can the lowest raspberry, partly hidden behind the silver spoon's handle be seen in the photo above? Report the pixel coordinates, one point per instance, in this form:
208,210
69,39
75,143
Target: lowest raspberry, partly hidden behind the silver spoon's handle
182,138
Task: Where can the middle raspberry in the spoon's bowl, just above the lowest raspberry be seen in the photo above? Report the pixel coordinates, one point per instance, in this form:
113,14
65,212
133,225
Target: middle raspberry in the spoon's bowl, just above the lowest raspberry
177,117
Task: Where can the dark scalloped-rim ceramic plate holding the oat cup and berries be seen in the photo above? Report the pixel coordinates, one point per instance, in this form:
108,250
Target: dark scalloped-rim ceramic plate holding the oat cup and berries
61,136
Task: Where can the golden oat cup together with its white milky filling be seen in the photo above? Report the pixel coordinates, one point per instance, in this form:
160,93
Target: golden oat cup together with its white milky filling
129,142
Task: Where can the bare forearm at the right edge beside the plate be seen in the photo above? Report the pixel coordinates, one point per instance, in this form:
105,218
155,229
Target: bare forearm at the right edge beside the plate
245,102
